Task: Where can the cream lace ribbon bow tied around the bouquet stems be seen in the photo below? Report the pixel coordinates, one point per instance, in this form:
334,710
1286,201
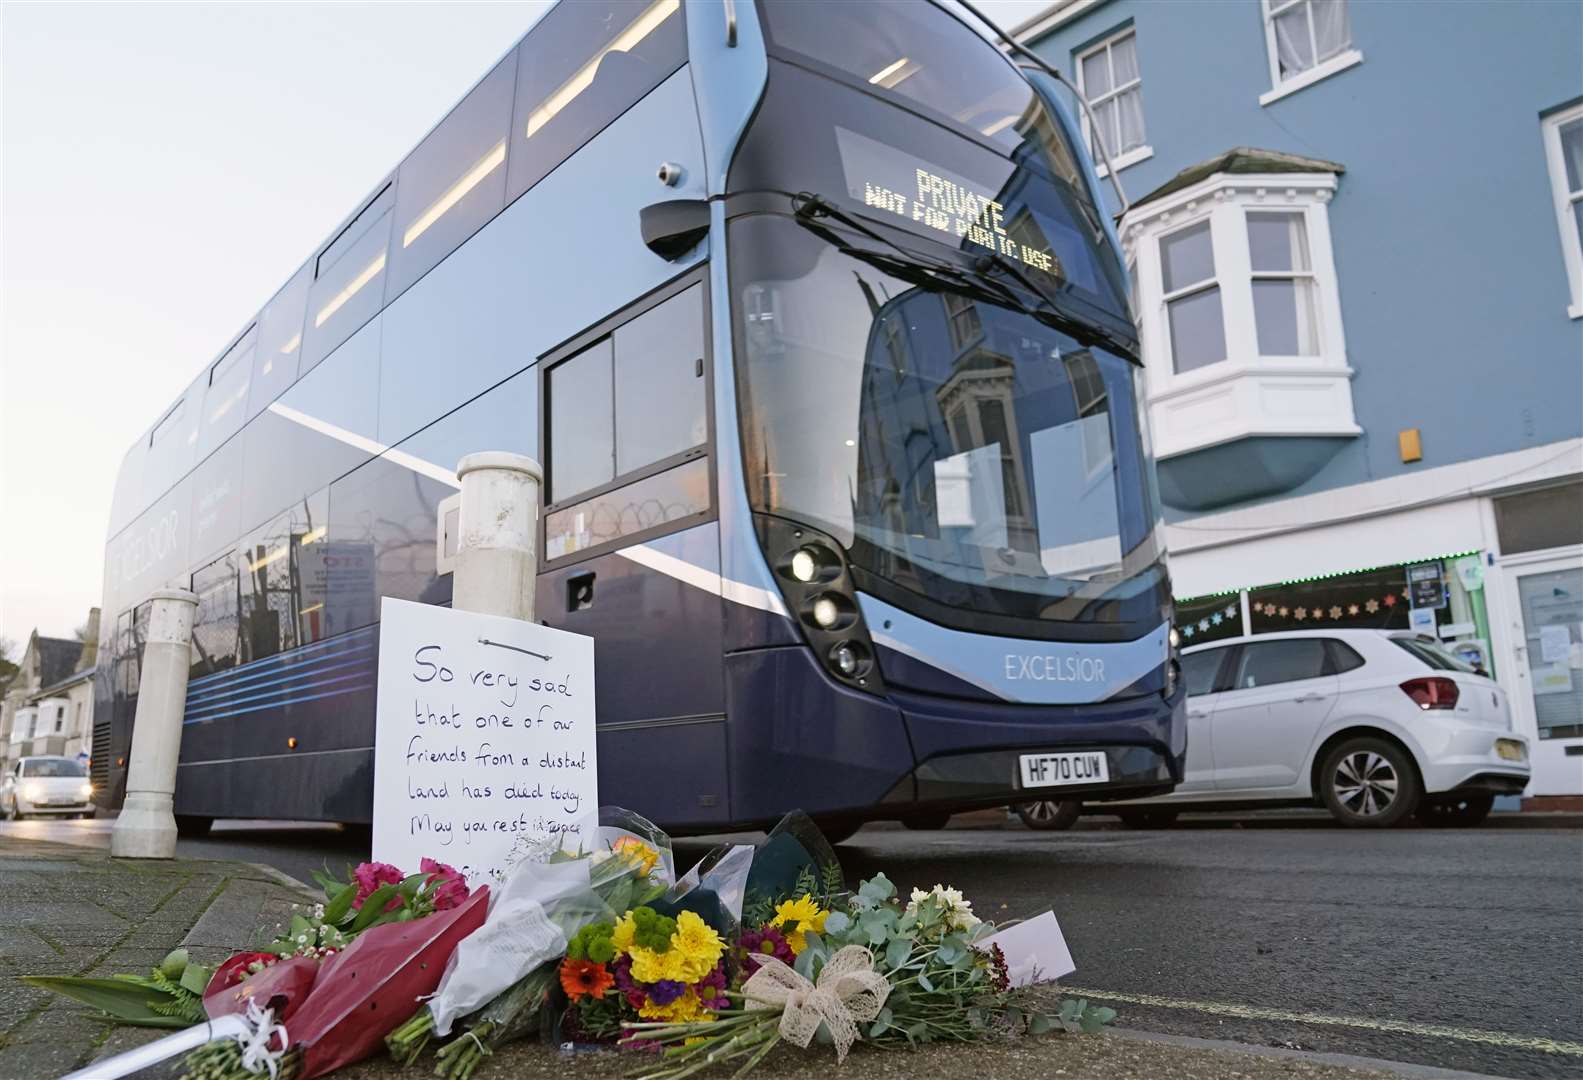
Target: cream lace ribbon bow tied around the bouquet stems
849,992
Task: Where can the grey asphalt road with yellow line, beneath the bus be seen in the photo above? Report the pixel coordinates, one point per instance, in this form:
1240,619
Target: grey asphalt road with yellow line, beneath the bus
1456,949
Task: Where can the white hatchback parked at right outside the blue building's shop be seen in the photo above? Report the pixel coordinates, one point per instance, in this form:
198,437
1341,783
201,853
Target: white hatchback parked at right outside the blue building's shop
1376,726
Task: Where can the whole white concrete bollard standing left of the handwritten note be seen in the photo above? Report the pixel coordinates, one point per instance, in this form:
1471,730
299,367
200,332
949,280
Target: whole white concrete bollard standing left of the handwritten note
146,827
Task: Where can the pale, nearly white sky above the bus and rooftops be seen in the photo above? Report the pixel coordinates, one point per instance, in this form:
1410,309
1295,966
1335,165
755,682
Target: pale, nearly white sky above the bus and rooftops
164,169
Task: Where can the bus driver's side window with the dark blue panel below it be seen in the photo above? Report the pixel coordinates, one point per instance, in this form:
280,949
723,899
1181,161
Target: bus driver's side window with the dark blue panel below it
631,549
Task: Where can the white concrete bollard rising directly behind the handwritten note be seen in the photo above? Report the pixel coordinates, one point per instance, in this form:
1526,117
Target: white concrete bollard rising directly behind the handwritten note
496,536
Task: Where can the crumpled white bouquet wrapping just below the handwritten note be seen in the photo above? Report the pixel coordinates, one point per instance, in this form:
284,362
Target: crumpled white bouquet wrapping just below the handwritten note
531,921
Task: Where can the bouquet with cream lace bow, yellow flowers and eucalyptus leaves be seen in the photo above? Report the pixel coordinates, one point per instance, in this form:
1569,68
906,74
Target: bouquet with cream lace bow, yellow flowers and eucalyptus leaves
868,968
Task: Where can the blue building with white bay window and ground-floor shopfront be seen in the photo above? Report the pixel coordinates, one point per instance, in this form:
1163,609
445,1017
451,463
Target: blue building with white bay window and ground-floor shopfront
1356,237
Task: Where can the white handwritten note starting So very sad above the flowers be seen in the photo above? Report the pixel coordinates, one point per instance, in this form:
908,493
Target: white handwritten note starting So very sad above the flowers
484,737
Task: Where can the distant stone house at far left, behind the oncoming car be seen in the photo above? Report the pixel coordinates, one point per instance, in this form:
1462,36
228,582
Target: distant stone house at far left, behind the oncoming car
48,705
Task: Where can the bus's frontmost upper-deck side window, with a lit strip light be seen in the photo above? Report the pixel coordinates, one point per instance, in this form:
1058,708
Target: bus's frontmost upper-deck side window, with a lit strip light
582,67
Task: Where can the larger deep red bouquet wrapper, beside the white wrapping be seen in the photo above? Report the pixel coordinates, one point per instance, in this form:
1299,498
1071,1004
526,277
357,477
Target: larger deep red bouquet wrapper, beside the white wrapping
373,986
